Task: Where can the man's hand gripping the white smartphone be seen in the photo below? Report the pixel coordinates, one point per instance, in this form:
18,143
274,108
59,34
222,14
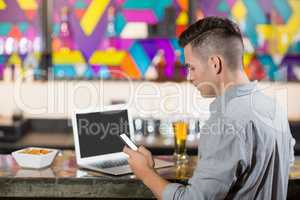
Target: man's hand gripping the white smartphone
140,161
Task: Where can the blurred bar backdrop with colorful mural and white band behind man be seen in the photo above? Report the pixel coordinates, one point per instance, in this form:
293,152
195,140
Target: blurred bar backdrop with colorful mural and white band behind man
58,55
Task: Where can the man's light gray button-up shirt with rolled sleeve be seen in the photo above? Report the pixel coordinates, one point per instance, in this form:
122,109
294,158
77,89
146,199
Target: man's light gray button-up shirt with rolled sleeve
245,150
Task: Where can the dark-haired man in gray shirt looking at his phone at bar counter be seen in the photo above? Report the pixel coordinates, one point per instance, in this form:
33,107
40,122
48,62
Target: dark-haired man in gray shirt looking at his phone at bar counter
246,145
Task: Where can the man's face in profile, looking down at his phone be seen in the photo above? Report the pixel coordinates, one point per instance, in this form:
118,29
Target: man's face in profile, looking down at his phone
200,73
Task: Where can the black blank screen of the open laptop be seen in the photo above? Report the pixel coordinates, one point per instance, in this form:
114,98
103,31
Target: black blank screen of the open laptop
98,132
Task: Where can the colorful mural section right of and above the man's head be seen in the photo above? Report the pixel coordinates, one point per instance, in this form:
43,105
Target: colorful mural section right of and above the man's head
272,34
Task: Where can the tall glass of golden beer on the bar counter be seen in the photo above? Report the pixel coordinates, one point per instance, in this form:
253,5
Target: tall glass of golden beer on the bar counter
180,129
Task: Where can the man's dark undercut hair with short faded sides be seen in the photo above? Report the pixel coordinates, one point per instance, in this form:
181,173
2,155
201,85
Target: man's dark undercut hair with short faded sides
215,35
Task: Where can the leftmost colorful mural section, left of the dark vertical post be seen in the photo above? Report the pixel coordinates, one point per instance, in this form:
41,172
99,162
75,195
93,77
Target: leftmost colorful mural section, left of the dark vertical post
20,41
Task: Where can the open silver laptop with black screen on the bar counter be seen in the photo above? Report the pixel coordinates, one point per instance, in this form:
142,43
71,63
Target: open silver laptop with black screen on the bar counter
98,145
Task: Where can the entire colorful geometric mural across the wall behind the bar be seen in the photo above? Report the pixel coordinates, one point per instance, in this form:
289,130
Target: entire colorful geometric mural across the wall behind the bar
96,44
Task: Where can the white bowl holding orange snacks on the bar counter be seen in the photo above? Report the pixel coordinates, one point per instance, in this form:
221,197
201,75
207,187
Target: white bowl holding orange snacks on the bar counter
35,161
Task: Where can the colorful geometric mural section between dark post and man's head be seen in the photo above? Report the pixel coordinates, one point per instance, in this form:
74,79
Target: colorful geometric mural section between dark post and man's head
98,47
